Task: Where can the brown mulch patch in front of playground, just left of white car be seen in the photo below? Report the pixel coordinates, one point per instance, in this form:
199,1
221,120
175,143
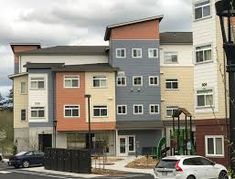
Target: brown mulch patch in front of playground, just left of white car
143,163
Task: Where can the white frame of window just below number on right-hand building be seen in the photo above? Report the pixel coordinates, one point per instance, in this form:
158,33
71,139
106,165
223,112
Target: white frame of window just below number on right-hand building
205,94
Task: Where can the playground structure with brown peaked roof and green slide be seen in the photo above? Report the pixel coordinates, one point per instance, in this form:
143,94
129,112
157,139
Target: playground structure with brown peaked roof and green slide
181,138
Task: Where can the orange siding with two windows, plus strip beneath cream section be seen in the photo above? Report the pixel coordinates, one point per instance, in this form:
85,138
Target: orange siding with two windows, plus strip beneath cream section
74,96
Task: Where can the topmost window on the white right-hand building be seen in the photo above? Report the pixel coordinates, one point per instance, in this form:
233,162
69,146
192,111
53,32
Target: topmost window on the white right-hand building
202,9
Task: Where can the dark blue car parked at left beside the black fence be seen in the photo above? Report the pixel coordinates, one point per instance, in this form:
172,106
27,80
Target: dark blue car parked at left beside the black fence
26,159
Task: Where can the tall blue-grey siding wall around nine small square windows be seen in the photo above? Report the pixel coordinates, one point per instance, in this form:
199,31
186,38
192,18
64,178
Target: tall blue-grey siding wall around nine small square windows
145,67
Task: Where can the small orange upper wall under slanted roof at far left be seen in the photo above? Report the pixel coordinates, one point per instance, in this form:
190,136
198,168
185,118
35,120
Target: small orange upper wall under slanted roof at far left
20,48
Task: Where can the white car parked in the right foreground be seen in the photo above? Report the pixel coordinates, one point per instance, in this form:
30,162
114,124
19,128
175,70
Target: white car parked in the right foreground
189,167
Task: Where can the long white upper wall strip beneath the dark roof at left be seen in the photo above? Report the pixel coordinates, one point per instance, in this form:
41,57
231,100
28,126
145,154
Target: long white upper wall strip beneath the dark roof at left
68,60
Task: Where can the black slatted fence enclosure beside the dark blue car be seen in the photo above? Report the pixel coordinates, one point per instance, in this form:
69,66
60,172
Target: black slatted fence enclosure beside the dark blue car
78,161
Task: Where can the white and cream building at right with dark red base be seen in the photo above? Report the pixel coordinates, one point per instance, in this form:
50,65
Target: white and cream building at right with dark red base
210,87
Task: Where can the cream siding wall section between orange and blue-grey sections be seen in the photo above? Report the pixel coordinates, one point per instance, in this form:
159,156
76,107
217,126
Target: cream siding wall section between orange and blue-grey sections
101,96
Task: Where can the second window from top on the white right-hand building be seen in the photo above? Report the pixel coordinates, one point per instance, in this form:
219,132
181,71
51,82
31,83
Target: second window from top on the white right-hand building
203,54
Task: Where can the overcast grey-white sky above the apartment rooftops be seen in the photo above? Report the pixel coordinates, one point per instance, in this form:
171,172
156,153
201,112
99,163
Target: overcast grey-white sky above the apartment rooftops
77,22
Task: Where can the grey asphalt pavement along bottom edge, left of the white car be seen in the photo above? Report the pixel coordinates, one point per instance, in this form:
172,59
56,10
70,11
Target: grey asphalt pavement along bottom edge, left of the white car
7,172
